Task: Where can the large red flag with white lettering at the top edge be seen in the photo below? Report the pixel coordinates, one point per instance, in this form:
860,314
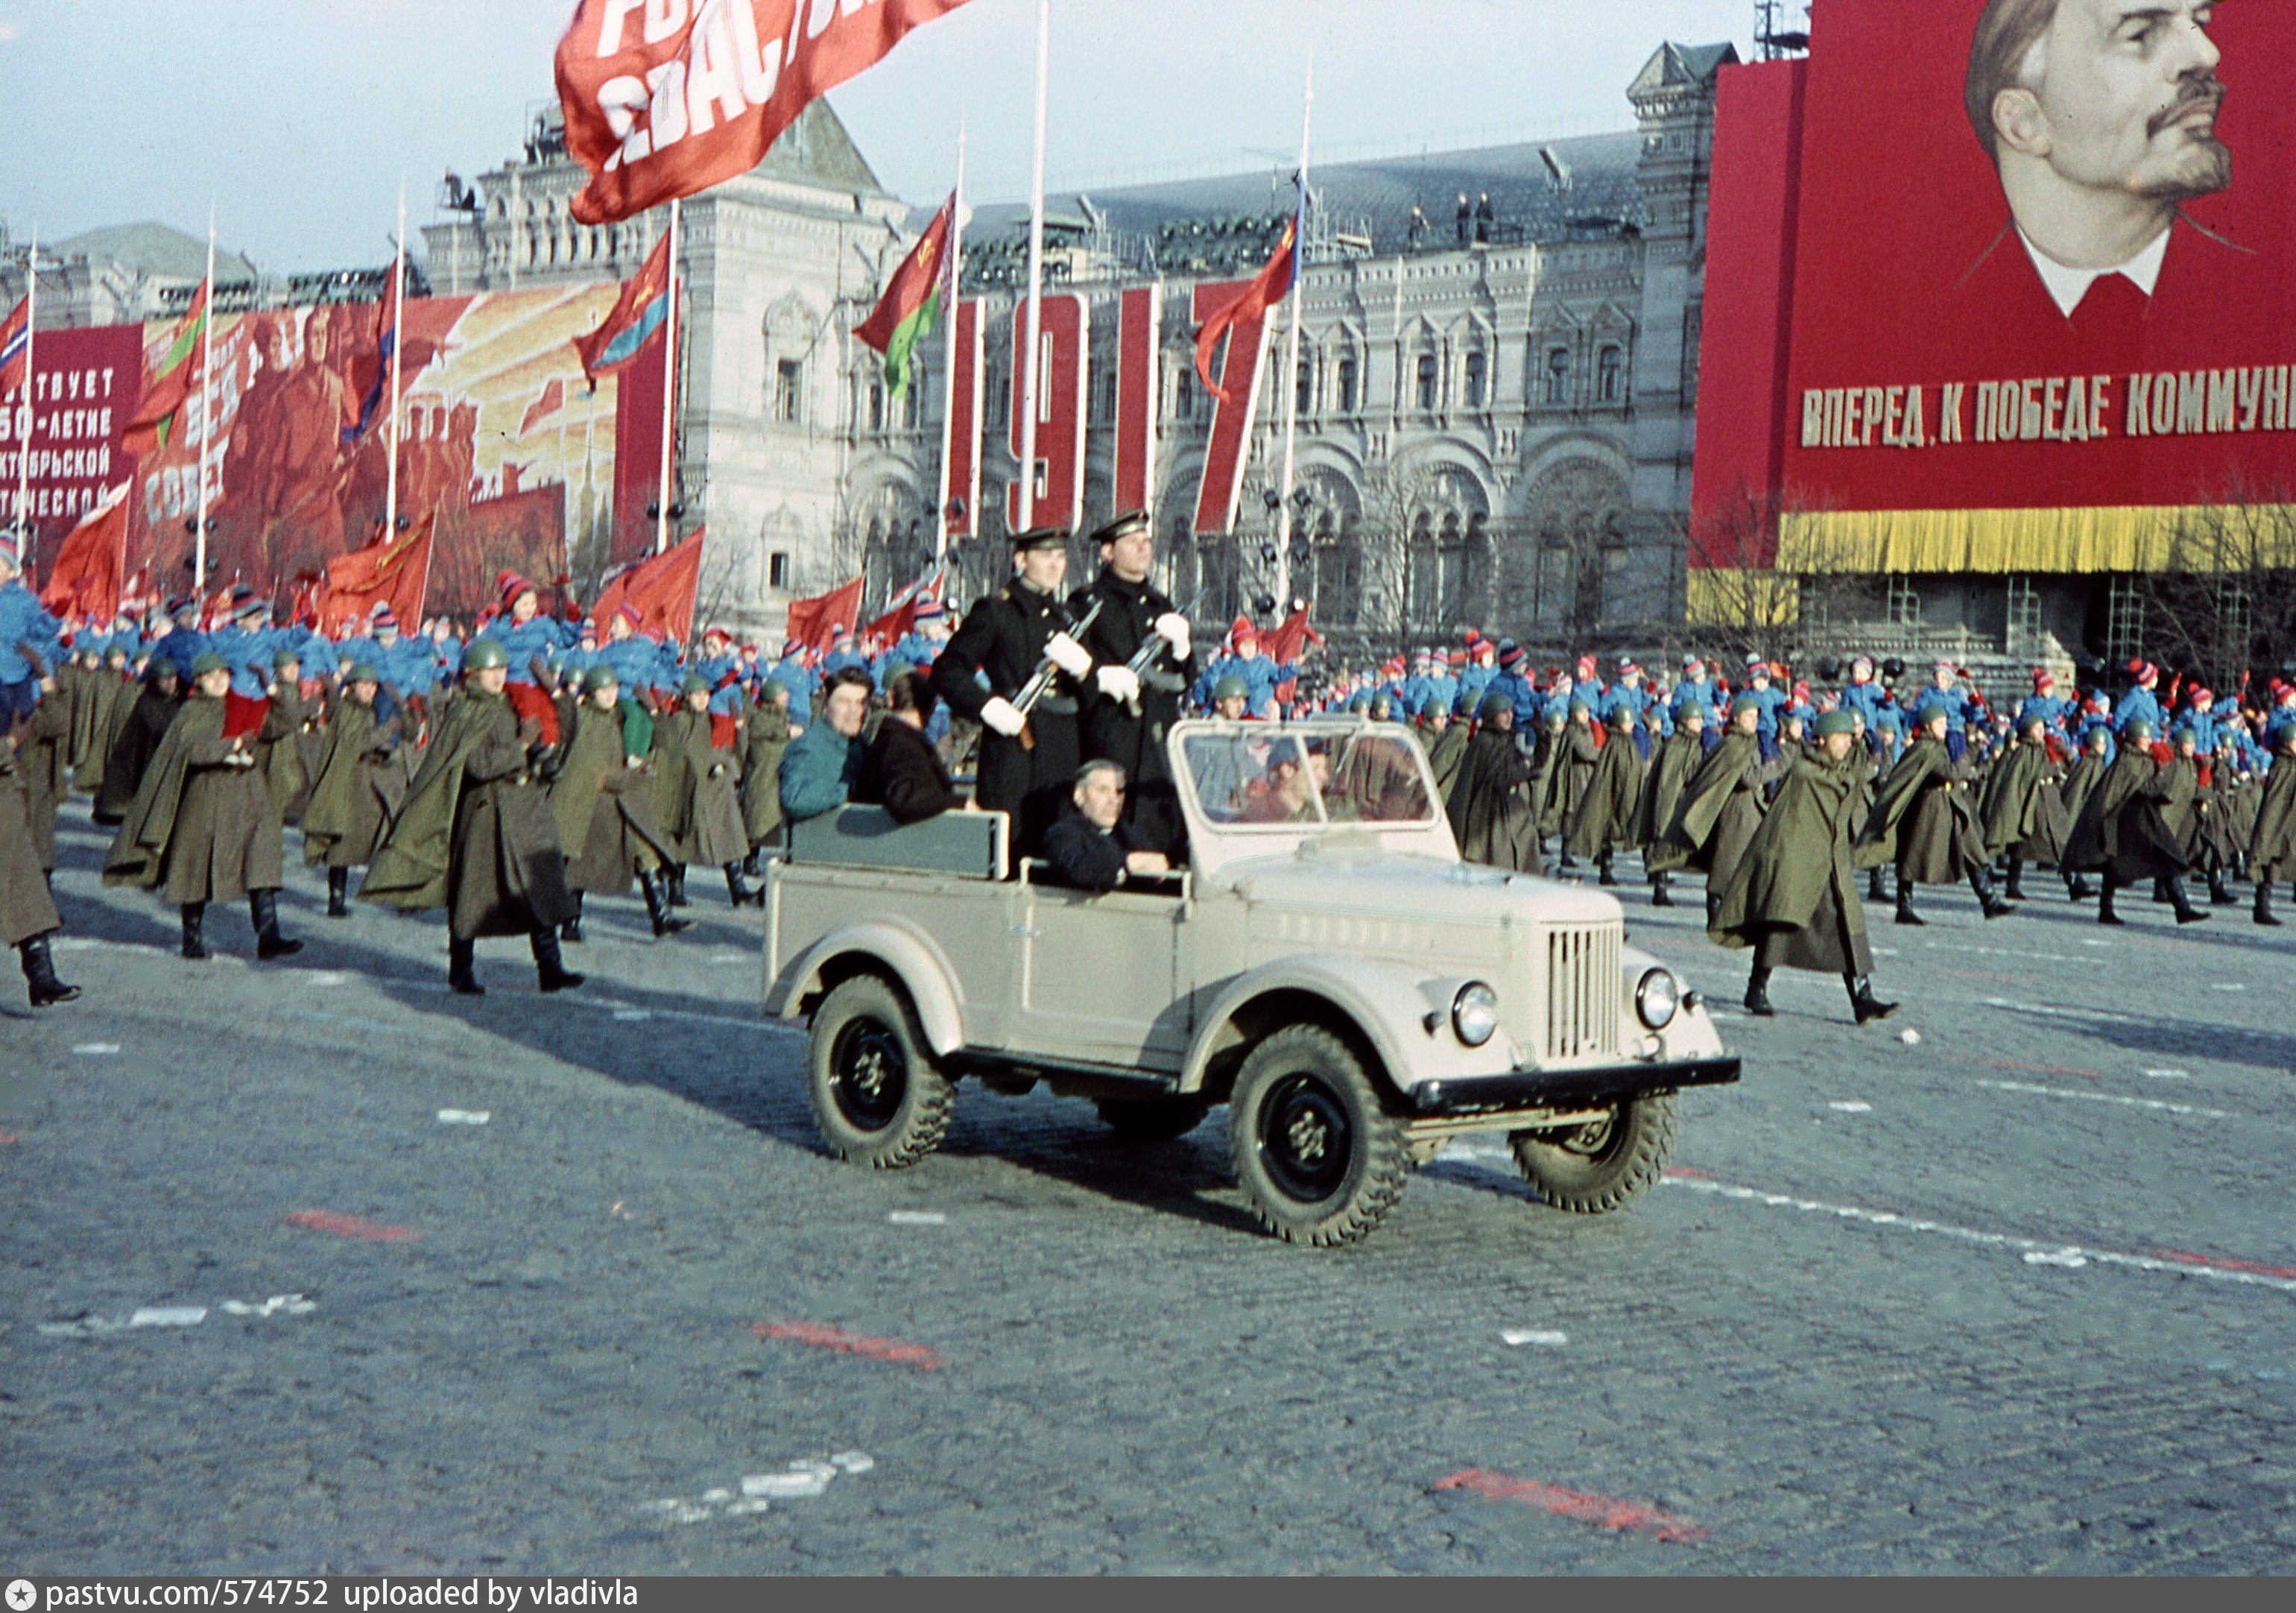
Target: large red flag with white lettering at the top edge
669,98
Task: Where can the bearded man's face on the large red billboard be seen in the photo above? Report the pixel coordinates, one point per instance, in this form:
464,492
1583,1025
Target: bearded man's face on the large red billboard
2102,116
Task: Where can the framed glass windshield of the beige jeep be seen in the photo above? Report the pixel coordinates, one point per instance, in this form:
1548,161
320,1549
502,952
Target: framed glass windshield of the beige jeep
1266,778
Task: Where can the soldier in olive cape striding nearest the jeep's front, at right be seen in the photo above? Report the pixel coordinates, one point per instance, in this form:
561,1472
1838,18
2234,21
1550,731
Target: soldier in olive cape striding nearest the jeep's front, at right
1794,895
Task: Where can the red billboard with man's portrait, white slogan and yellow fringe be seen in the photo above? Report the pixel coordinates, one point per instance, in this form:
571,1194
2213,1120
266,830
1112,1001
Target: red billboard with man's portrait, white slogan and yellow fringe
2031,256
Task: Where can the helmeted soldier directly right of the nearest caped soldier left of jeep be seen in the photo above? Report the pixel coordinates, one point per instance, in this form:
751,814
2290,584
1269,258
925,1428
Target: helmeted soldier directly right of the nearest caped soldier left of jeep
603,798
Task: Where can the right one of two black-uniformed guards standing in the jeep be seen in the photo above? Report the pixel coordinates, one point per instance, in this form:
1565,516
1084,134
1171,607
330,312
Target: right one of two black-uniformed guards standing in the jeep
1131,732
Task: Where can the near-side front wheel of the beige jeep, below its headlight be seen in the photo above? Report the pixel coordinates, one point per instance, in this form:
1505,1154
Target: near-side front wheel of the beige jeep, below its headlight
1314,1148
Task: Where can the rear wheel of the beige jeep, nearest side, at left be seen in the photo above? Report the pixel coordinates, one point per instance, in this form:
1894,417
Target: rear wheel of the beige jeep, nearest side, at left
878,1097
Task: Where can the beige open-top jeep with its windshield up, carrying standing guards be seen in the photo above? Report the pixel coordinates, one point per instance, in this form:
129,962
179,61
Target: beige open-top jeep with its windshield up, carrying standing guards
1326,966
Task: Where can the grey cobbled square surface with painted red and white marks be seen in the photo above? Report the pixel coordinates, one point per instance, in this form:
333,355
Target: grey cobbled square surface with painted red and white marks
320,1269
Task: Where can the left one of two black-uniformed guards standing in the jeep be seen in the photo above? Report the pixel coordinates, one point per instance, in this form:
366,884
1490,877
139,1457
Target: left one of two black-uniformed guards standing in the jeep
1027,764
